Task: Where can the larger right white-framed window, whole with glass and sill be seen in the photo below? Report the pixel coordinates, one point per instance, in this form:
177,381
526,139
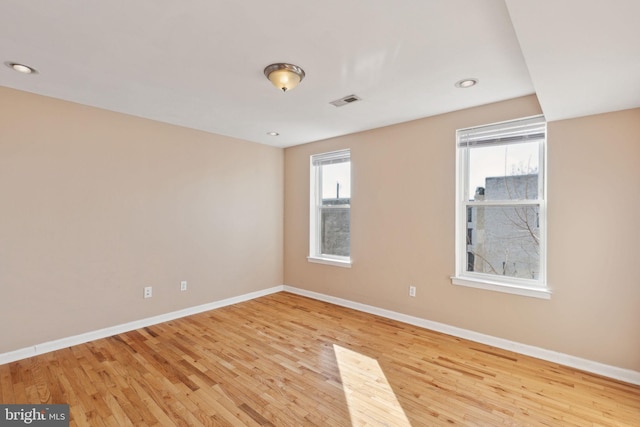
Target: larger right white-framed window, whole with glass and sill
500,205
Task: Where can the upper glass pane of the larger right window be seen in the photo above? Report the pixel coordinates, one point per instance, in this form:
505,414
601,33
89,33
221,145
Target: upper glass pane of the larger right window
504,172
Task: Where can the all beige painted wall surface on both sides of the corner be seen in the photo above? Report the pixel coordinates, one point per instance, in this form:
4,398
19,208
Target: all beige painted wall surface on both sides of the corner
95,205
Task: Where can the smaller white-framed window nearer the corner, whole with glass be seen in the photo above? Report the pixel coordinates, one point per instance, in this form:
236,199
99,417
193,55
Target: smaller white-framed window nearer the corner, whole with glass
330,210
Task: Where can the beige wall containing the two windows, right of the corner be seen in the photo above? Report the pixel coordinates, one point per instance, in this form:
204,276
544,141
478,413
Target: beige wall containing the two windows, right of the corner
402,231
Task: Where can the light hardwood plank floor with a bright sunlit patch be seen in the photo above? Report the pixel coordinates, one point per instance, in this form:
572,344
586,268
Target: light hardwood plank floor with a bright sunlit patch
286,360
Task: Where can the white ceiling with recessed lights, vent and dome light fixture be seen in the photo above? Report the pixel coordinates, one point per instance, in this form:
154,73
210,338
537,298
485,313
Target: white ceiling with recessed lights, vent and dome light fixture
199,63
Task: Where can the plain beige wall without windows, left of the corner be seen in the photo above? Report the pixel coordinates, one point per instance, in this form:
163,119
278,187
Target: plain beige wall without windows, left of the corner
95,205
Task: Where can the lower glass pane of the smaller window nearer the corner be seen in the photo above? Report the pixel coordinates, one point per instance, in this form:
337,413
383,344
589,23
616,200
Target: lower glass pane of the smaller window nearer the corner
334,231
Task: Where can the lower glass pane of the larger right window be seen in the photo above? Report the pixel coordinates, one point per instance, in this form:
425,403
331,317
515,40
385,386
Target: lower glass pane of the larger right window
504,241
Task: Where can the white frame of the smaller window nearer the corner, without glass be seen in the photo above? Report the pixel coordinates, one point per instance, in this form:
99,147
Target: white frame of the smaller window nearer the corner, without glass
315,205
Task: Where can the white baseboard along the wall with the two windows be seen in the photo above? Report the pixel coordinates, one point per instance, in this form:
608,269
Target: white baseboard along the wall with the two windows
614,372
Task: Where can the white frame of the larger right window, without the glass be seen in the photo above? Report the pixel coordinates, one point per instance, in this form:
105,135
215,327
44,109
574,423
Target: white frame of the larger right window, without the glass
465,141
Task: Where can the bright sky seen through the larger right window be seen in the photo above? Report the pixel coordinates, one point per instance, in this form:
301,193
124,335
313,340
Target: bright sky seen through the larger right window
501,160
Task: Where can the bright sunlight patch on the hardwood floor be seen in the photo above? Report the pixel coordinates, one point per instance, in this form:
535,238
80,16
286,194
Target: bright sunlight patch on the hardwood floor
370,398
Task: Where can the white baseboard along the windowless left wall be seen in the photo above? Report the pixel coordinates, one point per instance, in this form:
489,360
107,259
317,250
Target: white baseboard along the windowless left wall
46,347
